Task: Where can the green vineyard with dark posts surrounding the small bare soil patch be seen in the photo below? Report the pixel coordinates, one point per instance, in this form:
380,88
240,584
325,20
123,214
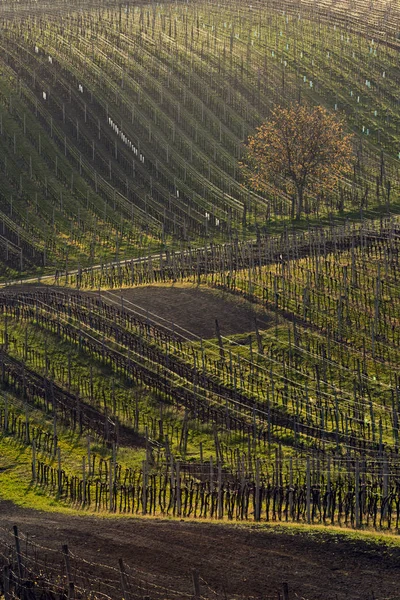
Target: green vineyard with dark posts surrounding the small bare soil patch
297,421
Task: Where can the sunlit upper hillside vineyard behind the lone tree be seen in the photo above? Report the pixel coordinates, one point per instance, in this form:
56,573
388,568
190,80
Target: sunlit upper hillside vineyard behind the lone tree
122,128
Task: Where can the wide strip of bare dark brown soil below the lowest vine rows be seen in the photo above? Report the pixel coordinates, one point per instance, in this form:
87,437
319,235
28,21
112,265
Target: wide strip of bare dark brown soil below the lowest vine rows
251,561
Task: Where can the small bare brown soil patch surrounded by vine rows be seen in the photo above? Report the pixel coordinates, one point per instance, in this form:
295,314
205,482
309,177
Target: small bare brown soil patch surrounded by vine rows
196,309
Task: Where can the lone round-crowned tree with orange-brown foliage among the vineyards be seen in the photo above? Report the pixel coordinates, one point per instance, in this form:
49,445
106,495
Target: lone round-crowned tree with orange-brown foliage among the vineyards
306,149
